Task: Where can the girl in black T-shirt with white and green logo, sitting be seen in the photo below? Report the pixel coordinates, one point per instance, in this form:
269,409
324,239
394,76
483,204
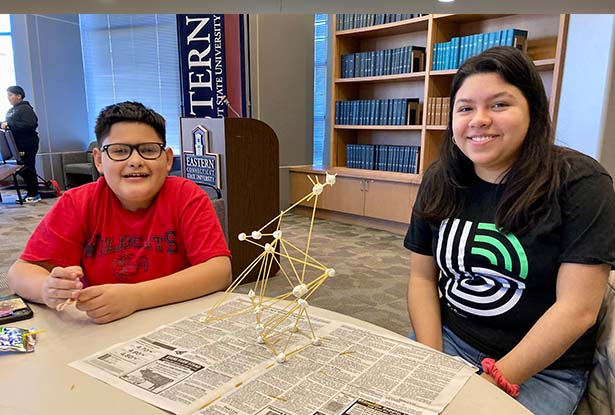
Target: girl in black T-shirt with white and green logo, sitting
511,239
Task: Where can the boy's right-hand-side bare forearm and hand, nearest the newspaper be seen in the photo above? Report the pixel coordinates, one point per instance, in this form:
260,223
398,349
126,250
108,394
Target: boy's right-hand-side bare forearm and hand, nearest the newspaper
105,303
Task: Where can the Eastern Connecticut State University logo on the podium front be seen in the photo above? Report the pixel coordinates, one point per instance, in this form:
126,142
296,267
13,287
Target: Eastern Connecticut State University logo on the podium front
202,167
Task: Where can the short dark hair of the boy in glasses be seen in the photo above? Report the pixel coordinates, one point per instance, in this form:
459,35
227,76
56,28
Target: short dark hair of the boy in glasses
128,111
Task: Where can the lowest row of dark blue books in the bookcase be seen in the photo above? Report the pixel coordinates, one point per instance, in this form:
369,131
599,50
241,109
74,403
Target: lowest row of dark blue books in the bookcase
401,159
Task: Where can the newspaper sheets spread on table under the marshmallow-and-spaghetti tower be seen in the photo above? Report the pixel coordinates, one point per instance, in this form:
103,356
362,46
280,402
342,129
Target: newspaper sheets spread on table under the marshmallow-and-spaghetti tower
191,367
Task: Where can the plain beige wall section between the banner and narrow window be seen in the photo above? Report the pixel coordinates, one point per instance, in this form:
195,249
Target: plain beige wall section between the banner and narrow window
282,85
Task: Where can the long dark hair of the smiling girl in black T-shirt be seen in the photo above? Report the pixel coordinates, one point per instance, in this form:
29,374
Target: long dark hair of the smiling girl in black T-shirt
532,181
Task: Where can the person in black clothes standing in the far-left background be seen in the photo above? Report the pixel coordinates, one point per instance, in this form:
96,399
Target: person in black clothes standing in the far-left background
22,121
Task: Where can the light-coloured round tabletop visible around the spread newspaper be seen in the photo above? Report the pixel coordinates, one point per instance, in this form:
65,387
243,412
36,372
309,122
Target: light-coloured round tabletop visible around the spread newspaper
42,382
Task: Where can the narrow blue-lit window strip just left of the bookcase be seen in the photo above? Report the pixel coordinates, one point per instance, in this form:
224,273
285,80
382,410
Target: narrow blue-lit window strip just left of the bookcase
321,24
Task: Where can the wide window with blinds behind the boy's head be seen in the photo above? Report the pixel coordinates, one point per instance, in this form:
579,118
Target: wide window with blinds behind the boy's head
132,58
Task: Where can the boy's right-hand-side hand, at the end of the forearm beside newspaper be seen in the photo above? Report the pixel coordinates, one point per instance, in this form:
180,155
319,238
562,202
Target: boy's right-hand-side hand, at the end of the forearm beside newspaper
105,303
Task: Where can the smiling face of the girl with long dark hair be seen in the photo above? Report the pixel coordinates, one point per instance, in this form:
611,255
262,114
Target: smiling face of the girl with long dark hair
490,121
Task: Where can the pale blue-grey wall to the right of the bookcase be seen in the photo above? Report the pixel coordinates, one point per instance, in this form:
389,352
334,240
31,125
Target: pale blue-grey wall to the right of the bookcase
587,79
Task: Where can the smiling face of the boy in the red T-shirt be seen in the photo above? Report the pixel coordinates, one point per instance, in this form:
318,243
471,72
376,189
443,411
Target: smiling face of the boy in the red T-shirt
134,181
